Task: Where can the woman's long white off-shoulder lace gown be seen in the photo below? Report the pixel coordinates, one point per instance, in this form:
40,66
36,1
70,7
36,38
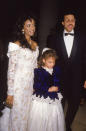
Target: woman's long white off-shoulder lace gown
22,62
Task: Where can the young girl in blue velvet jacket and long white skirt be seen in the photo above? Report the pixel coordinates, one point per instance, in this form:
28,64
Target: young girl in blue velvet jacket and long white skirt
46,112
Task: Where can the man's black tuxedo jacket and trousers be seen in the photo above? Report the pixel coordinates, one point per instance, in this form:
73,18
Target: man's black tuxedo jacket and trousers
72,70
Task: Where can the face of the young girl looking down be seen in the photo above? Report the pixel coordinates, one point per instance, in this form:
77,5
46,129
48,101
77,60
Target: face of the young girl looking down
49,62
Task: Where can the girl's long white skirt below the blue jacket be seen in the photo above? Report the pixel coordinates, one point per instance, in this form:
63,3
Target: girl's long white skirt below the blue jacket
46,116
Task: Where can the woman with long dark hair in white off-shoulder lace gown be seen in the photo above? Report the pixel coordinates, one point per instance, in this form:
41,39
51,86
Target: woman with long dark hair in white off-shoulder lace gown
22,56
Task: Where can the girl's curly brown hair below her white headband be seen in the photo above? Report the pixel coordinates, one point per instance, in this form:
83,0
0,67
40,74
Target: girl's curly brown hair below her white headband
45,55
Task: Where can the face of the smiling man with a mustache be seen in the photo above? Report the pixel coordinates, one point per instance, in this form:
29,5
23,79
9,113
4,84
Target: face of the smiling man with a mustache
69,22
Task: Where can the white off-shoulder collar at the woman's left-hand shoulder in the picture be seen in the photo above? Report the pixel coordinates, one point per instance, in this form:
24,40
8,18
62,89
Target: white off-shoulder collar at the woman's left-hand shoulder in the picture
12,47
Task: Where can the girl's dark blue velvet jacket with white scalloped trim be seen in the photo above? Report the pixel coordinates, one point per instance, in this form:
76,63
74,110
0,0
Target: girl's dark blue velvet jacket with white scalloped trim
43,80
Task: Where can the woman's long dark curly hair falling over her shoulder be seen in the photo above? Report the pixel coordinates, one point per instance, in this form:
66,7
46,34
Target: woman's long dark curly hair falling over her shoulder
17,31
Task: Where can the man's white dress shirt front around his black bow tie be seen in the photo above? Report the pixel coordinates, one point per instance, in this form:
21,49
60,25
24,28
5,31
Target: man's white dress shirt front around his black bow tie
68,42
